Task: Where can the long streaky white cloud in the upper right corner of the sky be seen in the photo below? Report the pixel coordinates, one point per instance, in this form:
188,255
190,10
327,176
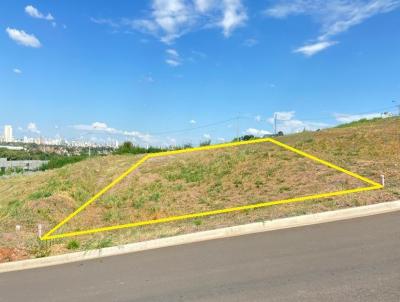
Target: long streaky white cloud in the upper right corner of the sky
334,16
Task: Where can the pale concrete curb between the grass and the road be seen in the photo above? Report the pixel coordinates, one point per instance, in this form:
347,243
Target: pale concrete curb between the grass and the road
251,228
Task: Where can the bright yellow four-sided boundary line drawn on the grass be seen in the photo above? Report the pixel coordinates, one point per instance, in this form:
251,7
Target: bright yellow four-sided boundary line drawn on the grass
373,186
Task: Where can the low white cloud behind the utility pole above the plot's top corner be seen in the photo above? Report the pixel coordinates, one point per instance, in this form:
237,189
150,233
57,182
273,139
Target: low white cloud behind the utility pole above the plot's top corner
288,124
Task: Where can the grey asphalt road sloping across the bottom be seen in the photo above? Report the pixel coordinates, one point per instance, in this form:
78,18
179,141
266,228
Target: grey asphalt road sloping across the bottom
353,260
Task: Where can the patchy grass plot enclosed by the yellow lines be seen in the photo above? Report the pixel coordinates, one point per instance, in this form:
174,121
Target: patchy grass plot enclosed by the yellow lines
210,180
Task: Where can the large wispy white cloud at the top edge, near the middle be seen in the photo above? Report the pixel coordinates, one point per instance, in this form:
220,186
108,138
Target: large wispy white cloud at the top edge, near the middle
170,19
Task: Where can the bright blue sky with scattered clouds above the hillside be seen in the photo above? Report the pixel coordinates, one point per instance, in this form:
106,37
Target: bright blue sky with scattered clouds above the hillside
143,69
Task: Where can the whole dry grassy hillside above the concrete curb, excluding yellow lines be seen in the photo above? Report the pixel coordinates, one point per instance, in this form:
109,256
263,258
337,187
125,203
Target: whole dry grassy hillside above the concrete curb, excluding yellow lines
195,182
